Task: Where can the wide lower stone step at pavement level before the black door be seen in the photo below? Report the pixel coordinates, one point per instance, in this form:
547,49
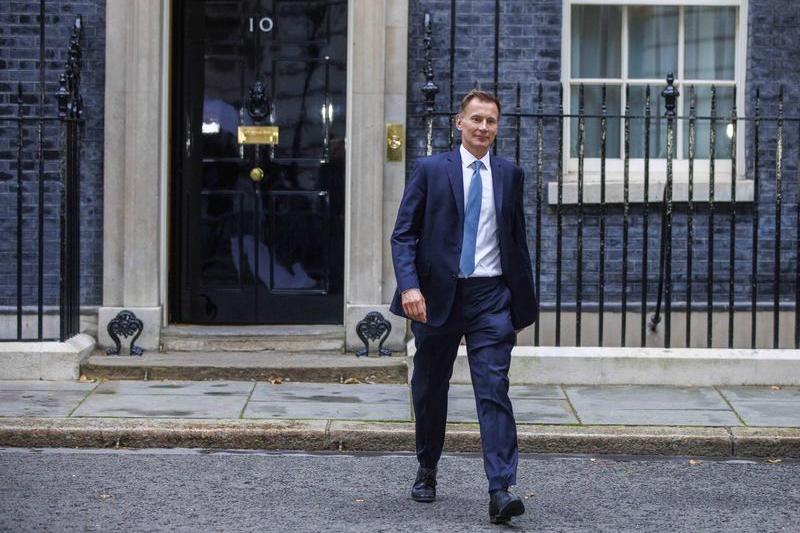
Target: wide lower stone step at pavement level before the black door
326,367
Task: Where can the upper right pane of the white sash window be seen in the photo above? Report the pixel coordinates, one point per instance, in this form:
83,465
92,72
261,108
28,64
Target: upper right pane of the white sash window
710,43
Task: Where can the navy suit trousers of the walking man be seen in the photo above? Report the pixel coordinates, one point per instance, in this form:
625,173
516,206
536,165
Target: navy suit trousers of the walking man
481,313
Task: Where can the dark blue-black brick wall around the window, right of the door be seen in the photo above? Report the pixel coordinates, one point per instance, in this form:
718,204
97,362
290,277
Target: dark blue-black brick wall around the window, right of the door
530,54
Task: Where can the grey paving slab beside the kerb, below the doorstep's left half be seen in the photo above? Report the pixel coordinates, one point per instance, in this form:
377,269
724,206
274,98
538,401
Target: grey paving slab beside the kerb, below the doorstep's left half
162,406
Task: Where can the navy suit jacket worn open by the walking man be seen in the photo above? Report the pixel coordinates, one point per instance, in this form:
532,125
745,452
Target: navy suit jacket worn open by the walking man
426,242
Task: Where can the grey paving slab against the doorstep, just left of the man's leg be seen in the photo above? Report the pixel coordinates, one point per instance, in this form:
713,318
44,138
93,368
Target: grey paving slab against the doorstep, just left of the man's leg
331,393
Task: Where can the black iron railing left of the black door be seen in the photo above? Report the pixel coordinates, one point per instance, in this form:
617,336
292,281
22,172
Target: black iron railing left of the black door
32,184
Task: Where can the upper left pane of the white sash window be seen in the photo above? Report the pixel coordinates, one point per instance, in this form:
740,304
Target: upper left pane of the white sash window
596,41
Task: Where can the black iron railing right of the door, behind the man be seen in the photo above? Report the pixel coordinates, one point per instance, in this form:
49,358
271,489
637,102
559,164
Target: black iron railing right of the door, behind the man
705,220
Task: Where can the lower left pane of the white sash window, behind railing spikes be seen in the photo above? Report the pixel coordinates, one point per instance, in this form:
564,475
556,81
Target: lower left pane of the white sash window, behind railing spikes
593,106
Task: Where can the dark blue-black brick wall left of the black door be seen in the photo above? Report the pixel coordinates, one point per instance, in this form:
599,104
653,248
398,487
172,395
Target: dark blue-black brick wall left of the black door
19,62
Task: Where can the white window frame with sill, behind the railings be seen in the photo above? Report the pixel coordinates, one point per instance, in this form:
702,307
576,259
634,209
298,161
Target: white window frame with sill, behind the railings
614,166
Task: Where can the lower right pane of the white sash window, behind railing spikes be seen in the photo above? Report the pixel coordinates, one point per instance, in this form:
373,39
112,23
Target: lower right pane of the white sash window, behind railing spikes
724,106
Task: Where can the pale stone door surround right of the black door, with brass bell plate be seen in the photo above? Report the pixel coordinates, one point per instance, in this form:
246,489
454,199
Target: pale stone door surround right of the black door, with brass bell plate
376,88
